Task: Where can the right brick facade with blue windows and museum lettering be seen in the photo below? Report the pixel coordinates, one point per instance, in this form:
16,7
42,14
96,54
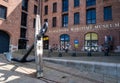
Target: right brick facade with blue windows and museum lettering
82,24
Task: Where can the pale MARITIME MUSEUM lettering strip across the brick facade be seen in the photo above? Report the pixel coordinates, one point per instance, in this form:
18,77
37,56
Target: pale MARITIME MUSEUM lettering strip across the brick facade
89,27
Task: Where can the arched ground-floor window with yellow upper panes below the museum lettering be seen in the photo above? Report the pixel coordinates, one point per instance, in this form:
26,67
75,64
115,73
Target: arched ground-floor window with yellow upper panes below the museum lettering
91,42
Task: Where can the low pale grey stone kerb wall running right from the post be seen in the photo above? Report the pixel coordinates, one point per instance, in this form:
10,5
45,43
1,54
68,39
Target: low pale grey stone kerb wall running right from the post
106,69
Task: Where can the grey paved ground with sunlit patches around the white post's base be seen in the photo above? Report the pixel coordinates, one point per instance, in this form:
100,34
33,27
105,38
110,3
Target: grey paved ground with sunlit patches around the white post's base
53,73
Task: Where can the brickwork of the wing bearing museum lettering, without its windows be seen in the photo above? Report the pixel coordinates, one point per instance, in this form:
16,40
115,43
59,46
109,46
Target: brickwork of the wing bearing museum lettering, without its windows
54,33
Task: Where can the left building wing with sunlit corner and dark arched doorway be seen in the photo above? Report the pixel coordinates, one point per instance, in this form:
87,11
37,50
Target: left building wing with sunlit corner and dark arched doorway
17,22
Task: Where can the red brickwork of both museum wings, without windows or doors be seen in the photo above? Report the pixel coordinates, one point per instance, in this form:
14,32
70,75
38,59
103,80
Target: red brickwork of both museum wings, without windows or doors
11,24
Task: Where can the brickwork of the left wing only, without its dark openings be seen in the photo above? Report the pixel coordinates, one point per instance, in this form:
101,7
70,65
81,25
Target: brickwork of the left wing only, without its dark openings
12,24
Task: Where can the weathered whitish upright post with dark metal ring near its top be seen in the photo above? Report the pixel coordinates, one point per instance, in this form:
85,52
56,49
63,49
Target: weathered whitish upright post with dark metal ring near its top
38,43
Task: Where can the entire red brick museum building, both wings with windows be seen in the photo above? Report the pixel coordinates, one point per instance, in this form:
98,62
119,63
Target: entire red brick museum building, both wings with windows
81,24
